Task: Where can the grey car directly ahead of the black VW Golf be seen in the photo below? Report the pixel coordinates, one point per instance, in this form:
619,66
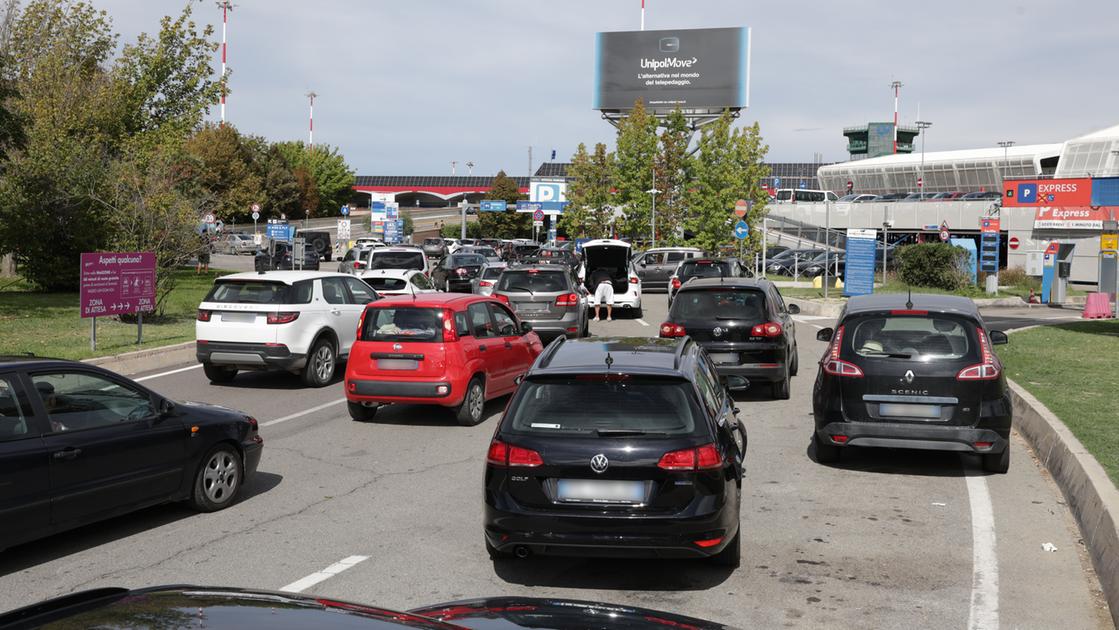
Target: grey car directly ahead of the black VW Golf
547,296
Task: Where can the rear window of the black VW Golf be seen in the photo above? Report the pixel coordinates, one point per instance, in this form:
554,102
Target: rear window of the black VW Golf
591,406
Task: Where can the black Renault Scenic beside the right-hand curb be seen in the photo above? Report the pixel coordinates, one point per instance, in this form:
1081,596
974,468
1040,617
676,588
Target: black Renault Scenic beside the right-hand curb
913,373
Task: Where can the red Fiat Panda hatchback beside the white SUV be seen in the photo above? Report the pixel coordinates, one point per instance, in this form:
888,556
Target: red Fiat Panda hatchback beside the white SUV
452,350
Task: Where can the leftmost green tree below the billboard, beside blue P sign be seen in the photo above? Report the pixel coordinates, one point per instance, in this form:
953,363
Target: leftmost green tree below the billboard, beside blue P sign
590,202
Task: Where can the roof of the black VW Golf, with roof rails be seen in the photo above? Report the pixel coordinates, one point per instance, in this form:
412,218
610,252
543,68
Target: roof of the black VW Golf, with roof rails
629,355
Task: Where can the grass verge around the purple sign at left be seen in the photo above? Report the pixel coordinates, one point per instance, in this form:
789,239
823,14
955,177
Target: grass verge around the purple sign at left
49,325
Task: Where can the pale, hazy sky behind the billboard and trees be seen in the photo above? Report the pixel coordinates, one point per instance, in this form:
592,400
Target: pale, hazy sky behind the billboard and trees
407,87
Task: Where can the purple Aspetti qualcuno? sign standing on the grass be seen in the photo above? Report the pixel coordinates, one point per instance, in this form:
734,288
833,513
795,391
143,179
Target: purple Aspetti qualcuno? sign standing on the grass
118,283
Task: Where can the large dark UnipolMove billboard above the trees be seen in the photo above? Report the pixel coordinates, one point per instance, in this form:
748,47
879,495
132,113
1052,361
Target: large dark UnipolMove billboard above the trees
688,69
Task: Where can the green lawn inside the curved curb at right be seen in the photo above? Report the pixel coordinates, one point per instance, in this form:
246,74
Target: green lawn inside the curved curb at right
1071,370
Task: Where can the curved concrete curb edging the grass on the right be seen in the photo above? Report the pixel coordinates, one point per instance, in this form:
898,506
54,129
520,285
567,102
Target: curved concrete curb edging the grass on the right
1088,490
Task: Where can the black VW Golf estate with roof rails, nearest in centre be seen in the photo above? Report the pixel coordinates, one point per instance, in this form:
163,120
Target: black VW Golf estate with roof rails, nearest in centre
618,448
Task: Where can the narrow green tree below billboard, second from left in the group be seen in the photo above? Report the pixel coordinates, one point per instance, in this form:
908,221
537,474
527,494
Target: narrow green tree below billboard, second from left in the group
636,151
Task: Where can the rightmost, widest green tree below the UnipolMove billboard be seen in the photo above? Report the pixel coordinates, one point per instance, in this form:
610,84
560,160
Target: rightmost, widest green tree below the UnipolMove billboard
729,166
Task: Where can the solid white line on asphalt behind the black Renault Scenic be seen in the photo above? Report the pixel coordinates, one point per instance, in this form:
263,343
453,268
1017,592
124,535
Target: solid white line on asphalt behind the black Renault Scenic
983,614
